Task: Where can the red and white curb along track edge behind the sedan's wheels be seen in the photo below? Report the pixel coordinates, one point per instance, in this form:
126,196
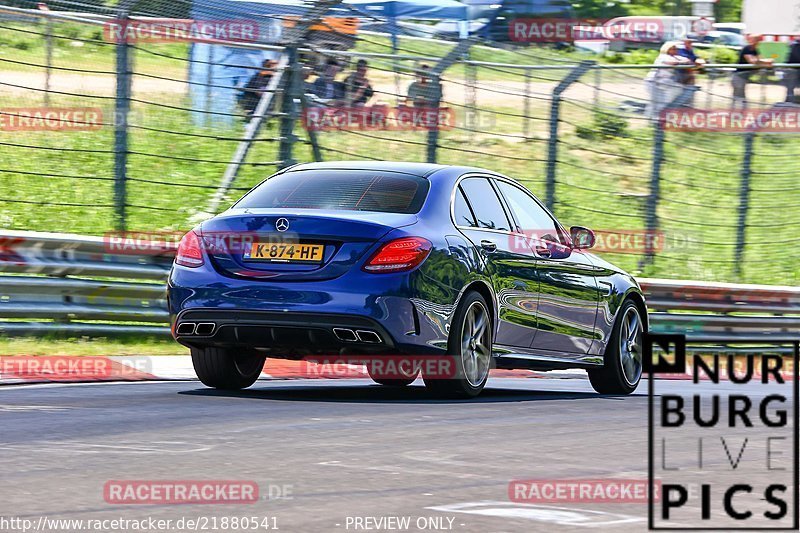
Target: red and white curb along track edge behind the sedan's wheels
67,369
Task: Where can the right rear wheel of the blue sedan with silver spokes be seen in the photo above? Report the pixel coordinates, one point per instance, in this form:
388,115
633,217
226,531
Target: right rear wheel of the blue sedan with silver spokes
470,347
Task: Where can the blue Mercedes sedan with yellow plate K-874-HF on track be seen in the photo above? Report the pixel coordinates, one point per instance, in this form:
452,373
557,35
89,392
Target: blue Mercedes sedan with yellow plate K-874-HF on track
388,259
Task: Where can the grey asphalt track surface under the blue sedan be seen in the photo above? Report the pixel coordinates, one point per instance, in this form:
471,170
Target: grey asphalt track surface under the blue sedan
339,450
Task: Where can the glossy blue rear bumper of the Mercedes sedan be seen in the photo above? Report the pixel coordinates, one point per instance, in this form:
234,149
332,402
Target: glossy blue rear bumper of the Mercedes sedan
293,318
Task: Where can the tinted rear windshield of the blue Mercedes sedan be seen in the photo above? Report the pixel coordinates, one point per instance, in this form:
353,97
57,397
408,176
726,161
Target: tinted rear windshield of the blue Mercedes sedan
350,190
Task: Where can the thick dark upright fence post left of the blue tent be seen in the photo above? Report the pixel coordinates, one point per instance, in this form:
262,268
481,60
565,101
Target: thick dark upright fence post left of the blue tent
122,105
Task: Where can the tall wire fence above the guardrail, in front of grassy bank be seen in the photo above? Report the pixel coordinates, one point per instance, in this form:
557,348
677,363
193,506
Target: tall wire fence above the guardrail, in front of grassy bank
149,116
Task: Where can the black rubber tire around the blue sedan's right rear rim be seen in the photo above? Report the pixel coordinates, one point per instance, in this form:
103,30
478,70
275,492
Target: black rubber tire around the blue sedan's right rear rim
460,385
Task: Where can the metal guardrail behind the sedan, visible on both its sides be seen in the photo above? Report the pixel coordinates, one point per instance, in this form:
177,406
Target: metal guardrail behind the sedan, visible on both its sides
78,285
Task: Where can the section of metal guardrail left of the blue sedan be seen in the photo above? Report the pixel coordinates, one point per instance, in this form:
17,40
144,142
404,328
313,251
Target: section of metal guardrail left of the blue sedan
70,284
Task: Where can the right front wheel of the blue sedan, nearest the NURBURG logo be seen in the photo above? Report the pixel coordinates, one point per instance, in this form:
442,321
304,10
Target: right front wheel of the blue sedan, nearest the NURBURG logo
616,377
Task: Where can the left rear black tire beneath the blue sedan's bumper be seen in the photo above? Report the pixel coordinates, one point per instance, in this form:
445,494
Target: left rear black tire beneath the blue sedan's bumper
224,369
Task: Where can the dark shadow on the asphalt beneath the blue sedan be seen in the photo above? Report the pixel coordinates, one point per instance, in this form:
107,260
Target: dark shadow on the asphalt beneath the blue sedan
381,394
